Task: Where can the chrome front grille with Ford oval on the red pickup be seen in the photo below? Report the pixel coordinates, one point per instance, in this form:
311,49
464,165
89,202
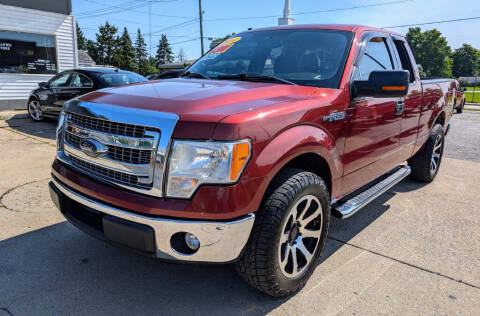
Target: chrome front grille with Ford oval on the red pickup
122,146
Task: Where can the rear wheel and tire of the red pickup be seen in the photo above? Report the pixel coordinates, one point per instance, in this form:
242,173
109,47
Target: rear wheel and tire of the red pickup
426,162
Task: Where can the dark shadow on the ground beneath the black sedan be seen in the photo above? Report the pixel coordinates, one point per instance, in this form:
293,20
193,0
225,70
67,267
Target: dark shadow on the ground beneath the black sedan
44,129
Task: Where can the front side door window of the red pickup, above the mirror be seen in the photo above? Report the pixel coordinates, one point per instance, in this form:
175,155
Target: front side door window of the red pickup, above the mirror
377,57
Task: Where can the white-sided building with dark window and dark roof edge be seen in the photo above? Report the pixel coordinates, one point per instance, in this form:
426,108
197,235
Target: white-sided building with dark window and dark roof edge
37,40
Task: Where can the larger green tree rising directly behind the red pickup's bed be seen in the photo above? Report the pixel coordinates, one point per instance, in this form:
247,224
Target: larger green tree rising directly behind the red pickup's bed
431,50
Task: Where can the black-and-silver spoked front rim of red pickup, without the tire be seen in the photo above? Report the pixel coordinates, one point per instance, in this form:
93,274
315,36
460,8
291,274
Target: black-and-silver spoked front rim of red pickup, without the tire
300,236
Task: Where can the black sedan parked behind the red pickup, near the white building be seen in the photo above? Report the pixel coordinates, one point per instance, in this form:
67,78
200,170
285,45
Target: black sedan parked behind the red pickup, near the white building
48,98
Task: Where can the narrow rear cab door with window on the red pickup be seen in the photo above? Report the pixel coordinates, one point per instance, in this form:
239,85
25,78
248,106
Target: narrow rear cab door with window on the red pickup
412,103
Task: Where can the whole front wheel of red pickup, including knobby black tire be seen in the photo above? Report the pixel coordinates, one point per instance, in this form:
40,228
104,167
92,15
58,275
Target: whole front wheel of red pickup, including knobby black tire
289,234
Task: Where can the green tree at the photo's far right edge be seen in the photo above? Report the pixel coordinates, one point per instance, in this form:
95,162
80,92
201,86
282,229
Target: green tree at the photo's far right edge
466,60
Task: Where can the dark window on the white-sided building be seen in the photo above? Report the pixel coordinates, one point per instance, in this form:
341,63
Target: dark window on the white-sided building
27,53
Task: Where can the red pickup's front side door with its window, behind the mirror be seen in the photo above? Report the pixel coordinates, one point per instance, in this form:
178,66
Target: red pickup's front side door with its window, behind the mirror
372,142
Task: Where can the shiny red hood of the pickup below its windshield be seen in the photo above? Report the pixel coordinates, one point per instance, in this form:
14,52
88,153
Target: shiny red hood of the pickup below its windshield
201,100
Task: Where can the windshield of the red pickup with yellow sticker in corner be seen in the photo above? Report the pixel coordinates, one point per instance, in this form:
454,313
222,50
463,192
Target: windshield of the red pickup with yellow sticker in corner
302,56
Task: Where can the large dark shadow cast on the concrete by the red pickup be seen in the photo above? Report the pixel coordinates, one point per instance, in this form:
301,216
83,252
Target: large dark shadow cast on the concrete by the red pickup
59,270
